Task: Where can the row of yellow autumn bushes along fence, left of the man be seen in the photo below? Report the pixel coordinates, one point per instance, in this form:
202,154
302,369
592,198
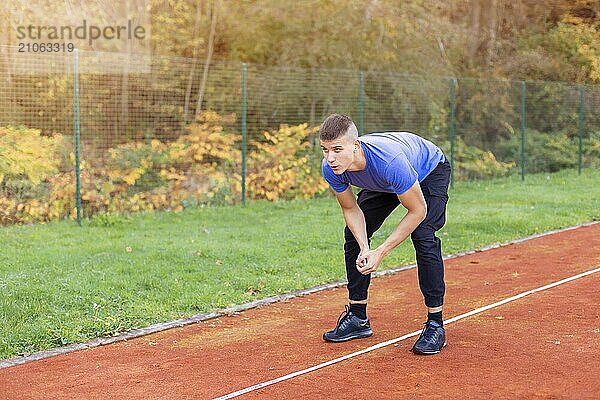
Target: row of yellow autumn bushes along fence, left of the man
201,167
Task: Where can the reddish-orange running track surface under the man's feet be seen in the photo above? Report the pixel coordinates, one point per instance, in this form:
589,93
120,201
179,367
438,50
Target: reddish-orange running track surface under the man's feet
544,345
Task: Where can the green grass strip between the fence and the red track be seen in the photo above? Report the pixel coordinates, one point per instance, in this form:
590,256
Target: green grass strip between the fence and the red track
61,284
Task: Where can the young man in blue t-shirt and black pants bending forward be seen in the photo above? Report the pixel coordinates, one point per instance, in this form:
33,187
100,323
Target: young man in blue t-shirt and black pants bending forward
391,168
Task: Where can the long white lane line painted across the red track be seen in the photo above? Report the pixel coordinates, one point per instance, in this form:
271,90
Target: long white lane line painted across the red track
404,337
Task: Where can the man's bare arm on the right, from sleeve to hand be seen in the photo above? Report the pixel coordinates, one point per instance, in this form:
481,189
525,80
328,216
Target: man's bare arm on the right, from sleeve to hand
414,202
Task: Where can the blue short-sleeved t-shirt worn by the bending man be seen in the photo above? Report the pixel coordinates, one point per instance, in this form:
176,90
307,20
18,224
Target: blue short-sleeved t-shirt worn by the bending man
395,160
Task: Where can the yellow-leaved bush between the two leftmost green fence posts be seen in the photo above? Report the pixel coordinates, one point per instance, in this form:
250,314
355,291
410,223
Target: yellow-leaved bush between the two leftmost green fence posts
198,168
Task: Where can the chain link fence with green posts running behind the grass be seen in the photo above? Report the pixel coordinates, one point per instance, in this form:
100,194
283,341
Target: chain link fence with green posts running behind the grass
145,141
